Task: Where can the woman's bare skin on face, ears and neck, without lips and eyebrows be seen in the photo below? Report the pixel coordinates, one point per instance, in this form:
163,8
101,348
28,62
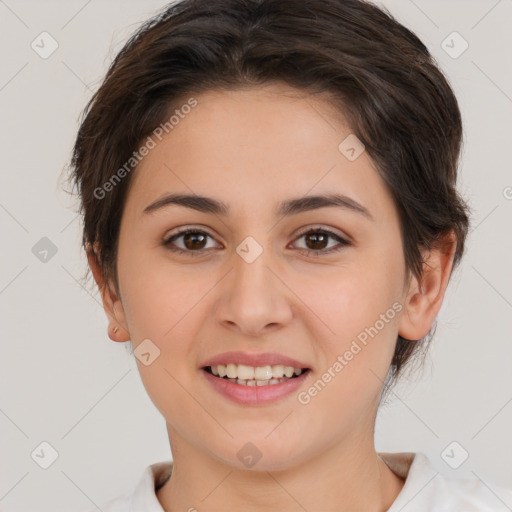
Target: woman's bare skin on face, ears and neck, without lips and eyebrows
251,149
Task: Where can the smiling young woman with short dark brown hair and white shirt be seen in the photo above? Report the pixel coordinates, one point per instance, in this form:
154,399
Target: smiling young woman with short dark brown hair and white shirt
268,190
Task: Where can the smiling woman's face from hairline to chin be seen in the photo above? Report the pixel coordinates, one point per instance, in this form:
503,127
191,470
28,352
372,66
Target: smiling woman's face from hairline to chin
320,284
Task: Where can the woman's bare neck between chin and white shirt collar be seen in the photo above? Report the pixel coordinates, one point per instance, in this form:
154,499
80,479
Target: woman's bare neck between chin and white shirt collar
348,477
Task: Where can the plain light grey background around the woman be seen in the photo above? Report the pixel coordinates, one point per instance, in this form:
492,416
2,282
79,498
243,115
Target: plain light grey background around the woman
64,382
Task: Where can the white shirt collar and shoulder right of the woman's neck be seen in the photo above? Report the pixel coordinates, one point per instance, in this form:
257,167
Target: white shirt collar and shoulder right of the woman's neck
427,489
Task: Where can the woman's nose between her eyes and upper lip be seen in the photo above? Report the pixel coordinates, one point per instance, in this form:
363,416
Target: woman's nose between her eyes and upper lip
253,298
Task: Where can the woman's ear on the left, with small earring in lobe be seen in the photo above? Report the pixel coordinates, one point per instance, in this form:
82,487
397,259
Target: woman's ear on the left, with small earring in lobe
111,302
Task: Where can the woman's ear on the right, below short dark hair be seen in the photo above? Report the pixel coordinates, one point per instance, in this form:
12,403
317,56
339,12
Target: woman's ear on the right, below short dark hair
425,295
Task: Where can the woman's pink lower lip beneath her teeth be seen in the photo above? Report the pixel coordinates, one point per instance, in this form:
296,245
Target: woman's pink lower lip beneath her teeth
255,395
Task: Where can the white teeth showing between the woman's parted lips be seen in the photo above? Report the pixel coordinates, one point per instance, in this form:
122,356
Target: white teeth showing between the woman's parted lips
261,375
